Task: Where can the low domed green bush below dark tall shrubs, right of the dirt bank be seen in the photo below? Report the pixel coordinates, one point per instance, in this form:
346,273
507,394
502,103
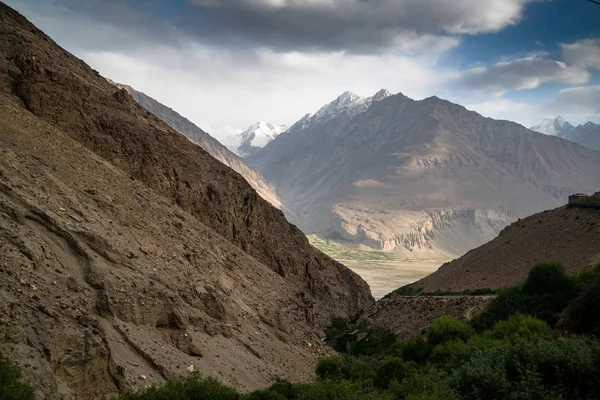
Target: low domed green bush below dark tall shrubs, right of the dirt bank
520,326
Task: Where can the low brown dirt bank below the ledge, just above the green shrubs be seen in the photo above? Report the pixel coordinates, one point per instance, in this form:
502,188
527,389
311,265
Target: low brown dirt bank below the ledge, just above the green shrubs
408,316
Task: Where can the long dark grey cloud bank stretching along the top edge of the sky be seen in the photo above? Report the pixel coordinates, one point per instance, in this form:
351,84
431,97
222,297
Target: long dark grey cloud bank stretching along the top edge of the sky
356,26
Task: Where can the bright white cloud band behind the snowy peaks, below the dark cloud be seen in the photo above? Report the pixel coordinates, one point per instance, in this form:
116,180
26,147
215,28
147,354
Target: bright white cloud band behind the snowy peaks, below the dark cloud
223,90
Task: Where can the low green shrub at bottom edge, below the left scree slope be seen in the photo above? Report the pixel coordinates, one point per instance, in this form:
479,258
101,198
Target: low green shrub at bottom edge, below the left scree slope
193,388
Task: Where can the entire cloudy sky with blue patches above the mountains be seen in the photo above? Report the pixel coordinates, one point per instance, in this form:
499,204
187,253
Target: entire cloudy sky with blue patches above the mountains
225,64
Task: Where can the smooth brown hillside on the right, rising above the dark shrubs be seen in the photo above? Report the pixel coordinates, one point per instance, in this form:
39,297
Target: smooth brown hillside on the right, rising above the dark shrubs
570,236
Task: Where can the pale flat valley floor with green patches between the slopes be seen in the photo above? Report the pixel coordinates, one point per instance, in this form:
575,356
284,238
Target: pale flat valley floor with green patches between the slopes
382,271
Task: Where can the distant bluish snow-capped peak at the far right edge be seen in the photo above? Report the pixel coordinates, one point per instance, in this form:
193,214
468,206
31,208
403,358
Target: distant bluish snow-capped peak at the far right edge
587,135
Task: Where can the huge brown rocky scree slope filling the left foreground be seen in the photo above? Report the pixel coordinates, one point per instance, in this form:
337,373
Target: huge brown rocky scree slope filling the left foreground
129,255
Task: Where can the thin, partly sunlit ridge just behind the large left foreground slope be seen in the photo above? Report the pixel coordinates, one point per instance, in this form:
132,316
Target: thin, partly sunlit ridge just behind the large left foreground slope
207,142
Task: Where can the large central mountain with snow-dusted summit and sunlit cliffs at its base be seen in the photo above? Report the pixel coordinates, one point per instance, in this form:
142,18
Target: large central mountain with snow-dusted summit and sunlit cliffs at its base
424,179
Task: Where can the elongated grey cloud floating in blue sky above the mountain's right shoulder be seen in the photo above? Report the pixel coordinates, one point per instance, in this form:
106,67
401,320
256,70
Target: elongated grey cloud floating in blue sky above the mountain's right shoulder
524,73
